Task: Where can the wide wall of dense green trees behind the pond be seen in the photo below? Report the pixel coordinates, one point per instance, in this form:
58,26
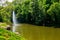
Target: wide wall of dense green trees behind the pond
38,12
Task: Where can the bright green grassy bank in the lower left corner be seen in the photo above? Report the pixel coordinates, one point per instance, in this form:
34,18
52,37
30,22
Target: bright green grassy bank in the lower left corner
7,35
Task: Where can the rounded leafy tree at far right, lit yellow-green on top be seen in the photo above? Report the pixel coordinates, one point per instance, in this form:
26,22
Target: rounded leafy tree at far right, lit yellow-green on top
54,12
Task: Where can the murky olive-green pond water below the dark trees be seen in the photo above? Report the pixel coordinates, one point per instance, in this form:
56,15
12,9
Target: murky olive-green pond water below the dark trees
31,32
